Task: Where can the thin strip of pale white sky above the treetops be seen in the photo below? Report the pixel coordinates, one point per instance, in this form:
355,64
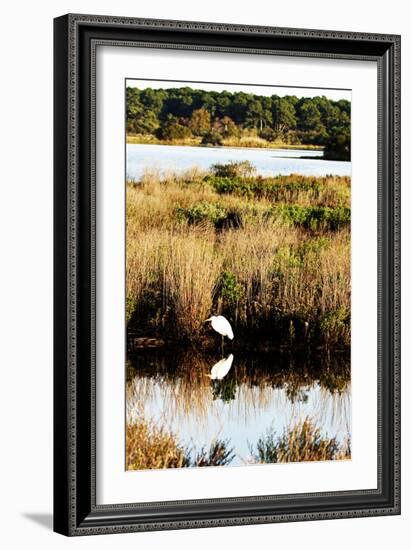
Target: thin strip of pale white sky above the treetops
281,91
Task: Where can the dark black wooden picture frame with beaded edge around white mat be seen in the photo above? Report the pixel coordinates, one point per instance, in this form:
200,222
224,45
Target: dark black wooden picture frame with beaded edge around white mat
75,40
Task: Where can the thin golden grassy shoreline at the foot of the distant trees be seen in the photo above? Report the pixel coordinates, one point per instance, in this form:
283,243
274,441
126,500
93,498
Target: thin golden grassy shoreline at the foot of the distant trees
196,142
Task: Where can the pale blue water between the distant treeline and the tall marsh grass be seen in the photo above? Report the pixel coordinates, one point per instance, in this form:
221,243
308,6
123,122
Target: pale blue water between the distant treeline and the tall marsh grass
268,162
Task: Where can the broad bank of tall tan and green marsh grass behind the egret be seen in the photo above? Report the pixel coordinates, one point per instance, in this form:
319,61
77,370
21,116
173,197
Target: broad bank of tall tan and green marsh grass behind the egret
271,254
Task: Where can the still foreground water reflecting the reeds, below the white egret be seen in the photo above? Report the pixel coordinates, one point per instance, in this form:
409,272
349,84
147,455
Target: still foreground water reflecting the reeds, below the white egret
259,393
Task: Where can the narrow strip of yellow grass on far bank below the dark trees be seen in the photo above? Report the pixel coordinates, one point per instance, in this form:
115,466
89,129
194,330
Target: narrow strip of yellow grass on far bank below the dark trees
245,141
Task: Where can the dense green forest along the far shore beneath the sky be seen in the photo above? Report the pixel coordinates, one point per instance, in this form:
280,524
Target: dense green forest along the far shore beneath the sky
226,118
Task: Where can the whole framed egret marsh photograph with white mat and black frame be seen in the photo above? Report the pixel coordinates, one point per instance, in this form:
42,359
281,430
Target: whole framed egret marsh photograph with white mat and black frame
227,277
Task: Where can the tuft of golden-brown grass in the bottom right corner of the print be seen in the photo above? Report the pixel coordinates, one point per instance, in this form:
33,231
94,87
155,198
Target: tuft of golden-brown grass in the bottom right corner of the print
300,443
